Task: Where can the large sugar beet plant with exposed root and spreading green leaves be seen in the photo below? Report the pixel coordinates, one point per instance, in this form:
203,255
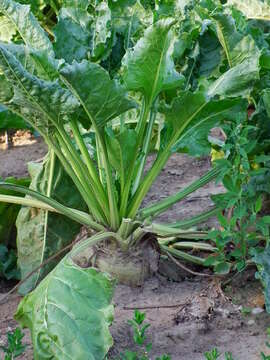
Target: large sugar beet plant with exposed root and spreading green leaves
96,89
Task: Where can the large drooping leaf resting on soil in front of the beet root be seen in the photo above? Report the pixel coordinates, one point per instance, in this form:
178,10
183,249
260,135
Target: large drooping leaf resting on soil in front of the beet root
69,314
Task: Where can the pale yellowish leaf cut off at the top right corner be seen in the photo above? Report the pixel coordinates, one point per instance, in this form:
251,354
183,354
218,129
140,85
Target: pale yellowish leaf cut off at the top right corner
252,9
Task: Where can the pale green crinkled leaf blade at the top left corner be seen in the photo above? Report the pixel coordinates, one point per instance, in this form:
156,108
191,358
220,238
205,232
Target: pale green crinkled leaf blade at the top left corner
26,24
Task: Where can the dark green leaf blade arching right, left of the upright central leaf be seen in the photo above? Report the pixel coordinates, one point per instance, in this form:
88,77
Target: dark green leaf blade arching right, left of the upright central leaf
103,99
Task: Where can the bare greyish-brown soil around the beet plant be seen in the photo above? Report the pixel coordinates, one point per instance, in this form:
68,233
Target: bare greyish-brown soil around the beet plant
187,317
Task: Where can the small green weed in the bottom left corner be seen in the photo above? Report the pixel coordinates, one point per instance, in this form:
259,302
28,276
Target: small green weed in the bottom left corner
14,346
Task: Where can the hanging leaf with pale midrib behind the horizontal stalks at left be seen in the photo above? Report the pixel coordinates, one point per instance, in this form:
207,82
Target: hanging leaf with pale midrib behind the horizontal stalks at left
41,233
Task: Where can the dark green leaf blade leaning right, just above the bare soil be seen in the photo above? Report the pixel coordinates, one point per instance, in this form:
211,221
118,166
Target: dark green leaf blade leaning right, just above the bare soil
193,122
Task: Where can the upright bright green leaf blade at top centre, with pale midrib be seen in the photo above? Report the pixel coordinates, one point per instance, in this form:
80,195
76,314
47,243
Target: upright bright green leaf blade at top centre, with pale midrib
149,67
